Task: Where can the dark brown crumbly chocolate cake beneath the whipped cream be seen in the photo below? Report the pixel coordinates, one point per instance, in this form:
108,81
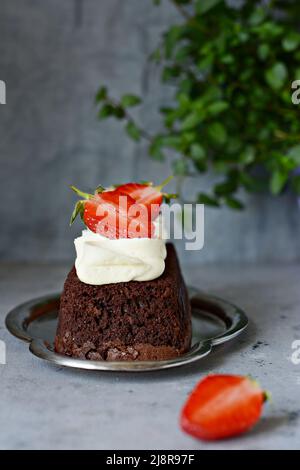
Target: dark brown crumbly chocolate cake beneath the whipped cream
149,320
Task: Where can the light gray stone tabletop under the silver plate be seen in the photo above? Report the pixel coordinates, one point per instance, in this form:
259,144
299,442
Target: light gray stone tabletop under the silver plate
49,407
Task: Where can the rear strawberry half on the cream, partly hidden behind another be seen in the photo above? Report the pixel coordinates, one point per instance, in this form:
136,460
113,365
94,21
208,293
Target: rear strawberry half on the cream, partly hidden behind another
147,194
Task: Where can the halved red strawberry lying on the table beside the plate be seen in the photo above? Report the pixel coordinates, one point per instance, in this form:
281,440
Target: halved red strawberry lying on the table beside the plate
222,406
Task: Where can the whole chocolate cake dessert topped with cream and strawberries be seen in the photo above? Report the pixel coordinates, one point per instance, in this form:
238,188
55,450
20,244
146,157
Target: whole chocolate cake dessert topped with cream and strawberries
125,298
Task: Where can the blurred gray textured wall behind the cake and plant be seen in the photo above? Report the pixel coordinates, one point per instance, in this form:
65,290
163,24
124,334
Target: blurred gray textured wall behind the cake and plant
53,56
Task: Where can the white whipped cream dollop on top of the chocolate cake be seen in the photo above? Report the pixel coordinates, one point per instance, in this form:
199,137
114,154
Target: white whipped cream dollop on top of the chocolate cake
101,260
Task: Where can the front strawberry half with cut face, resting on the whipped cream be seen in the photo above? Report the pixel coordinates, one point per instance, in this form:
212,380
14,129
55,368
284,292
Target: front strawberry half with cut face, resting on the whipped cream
107,214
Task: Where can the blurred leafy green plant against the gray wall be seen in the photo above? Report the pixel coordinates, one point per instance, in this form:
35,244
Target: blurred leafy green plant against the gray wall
232,114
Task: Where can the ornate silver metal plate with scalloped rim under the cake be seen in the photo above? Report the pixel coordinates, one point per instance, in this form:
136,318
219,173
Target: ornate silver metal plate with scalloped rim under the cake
214,322
